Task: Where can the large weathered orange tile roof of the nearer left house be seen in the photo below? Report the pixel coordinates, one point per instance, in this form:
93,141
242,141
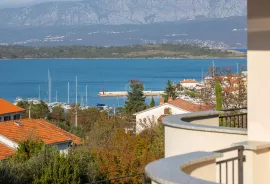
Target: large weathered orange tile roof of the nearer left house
45,131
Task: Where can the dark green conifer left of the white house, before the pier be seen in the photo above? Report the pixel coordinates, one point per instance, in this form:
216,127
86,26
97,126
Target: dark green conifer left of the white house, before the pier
135,100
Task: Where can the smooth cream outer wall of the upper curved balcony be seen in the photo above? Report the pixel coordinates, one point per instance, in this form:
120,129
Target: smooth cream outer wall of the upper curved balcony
181,141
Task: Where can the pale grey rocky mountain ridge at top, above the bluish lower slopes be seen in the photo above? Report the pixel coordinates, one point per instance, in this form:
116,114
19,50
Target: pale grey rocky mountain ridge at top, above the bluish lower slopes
118,12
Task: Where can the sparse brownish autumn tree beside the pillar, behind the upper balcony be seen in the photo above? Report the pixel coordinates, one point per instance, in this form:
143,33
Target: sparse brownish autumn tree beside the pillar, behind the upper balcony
233,88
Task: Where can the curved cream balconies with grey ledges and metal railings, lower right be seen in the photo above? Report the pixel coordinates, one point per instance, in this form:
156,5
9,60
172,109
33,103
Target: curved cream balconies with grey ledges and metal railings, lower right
210,147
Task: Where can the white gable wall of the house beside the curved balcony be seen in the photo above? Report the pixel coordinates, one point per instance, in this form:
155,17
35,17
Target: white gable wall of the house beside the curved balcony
153,115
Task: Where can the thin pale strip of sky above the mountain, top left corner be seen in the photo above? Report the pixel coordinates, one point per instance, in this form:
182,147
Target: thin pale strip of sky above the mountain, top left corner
16,3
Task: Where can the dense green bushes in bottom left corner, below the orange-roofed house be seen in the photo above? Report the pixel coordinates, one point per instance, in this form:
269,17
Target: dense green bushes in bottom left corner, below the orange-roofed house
50,166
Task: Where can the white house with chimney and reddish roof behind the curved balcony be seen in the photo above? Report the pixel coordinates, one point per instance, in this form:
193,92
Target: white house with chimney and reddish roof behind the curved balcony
152,115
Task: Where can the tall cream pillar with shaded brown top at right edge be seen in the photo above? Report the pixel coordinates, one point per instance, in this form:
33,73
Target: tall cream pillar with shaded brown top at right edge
258,70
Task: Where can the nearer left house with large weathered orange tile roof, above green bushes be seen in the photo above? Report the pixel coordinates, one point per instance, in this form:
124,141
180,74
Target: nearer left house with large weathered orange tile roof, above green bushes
14,131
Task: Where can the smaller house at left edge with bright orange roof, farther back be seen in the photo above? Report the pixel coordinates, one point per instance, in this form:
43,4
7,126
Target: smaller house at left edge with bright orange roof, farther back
9,111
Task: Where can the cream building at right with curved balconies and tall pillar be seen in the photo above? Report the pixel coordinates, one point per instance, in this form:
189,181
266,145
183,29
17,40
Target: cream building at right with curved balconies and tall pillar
213,147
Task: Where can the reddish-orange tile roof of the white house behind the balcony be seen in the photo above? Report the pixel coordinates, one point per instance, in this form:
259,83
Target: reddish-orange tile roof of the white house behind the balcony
188,106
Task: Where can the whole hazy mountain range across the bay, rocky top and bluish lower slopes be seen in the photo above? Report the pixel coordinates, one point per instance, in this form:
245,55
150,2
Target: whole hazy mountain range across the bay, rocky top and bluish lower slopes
211,23
